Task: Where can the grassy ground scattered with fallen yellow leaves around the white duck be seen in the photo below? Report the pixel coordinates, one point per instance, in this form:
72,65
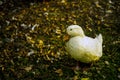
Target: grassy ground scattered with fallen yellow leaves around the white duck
32,39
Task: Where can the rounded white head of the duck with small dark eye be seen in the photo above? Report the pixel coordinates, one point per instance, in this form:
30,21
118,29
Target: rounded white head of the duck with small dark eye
75,30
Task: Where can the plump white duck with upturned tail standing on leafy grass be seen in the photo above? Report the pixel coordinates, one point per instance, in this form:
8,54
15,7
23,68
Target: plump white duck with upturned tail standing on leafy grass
83,48
